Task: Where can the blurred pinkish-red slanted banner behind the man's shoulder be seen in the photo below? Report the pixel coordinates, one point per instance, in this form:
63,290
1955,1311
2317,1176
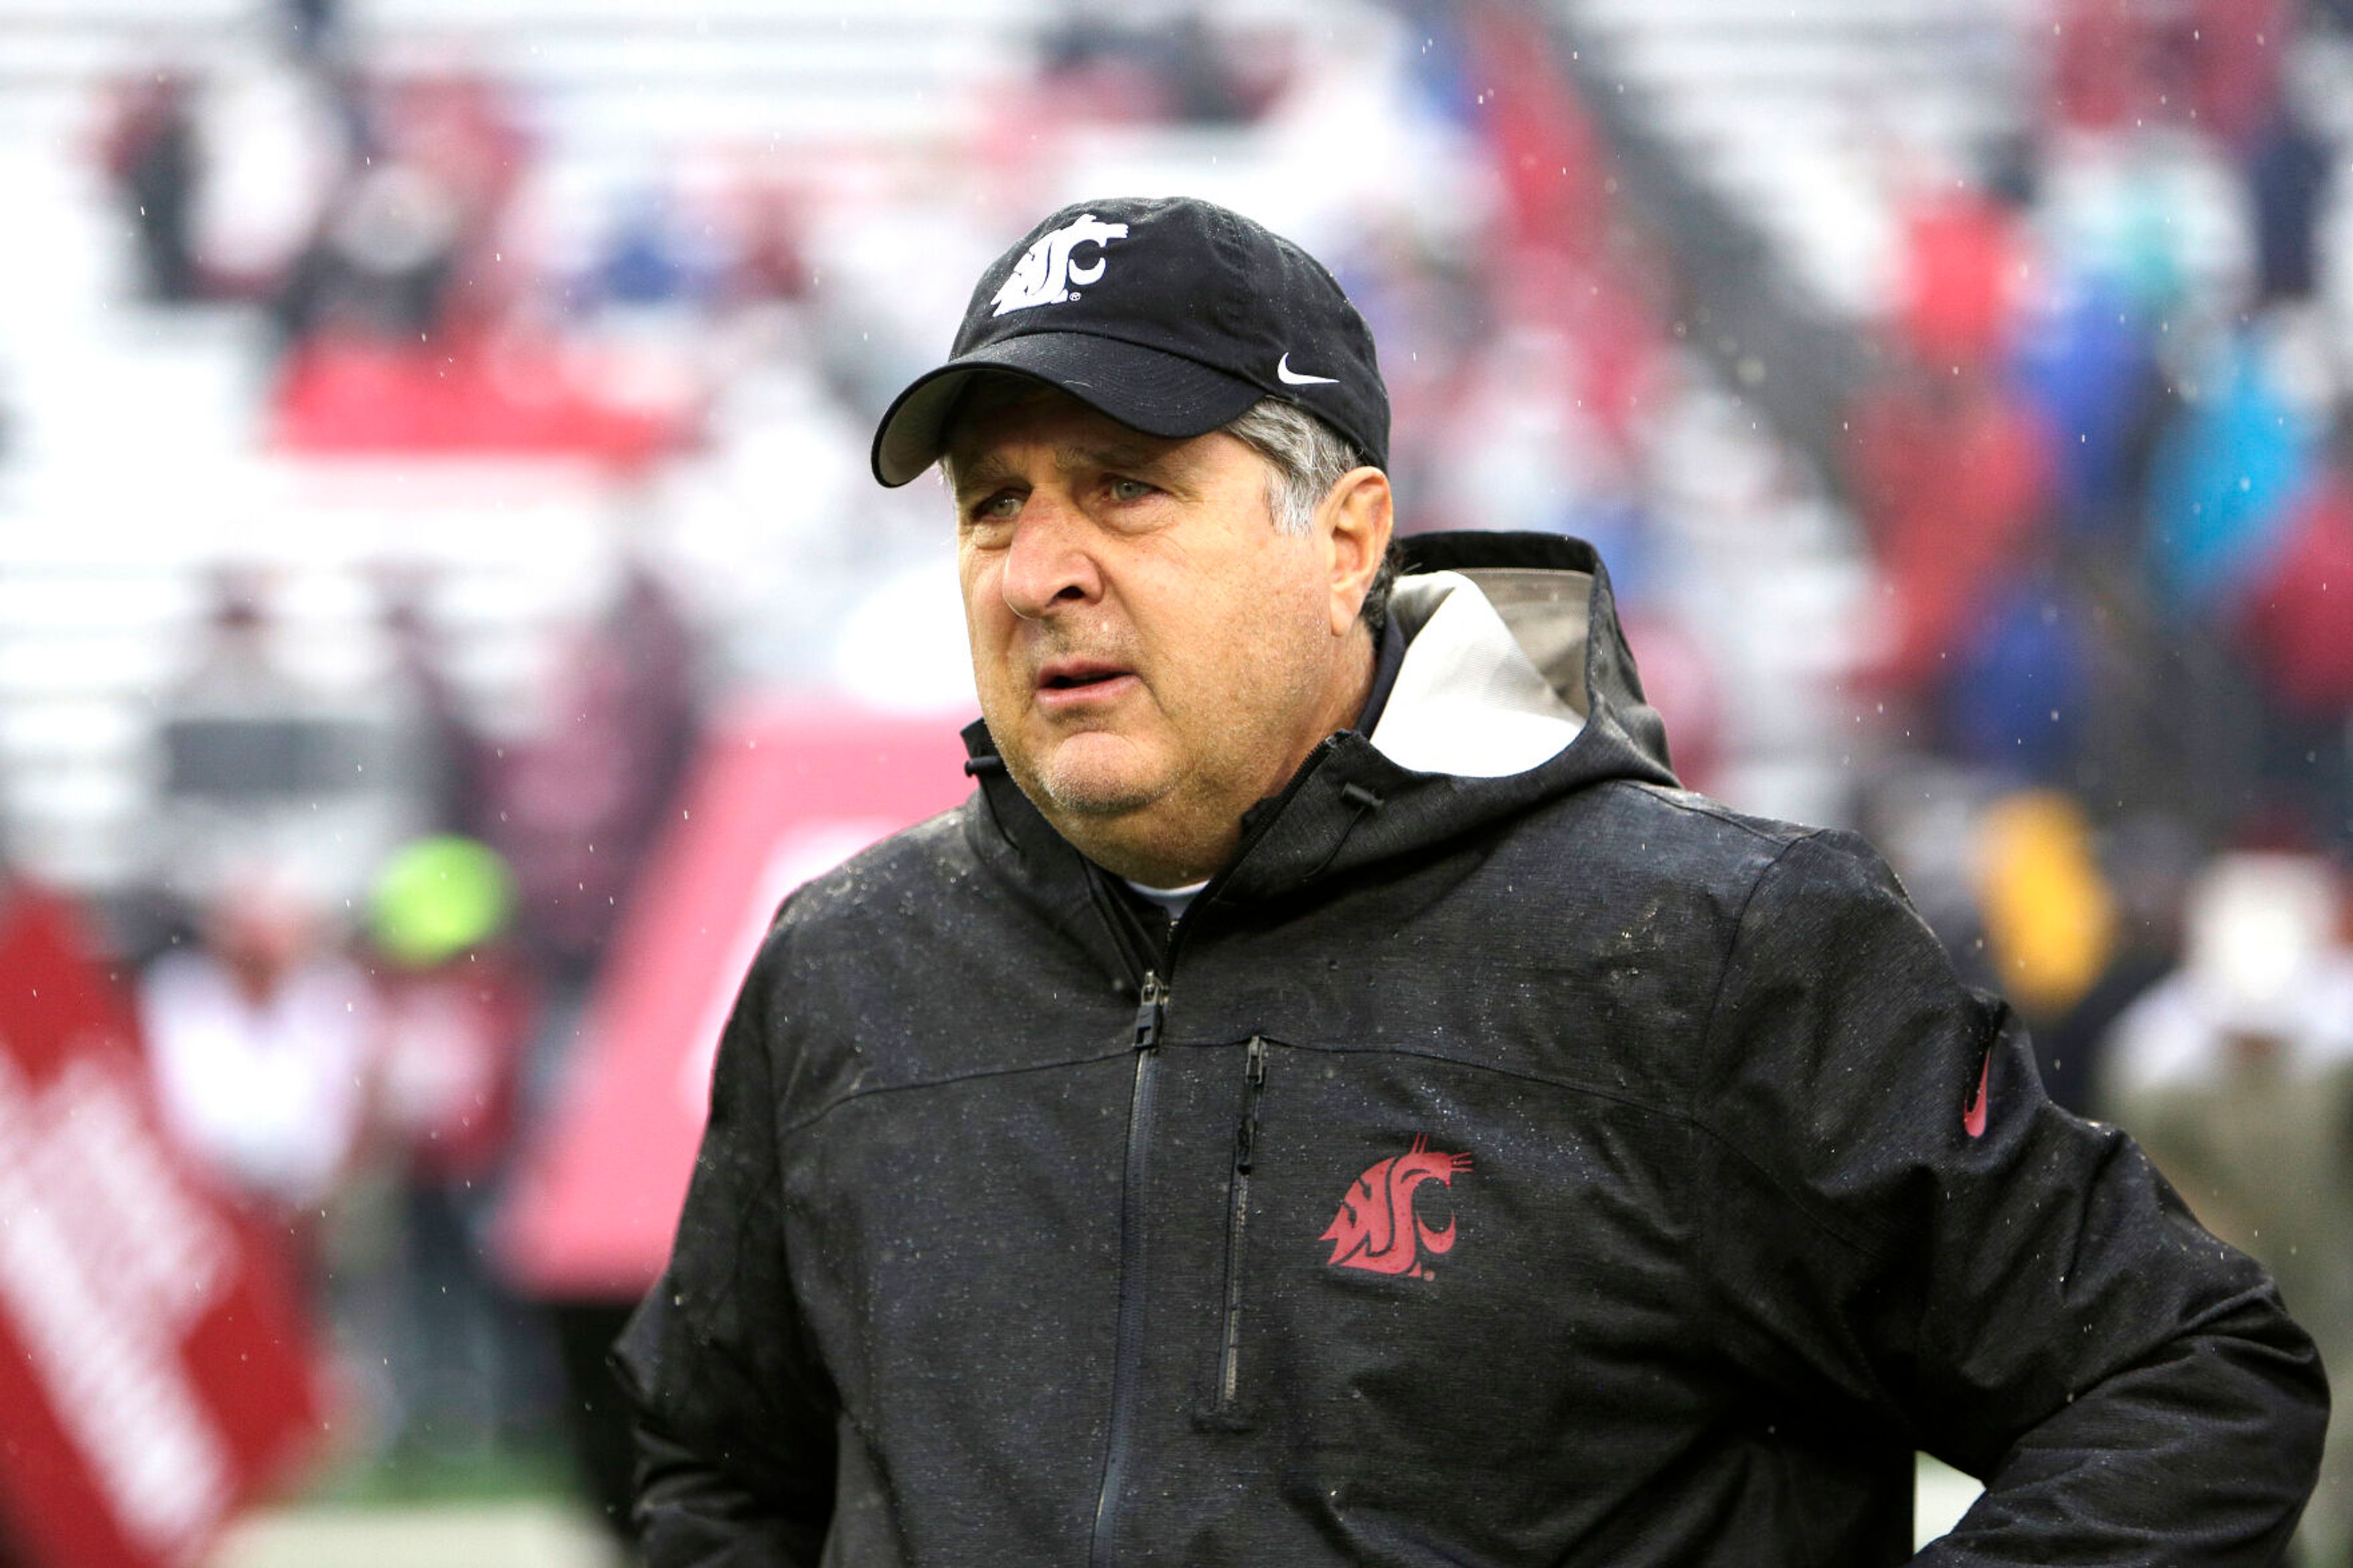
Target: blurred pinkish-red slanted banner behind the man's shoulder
778,799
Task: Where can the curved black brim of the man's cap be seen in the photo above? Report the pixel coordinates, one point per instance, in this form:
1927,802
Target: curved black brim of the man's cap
1147,390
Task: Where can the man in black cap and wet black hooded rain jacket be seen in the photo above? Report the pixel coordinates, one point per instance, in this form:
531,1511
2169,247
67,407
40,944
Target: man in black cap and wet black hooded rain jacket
1331,1096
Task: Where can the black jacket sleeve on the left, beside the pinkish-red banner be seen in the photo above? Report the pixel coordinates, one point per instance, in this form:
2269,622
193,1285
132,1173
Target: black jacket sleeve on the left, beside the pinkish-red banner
731,1404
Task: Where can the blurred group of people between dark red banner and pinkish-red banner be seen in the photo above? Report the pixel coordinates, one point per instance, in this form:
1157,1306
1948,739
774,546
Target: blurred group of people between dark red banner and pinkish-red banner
359,1072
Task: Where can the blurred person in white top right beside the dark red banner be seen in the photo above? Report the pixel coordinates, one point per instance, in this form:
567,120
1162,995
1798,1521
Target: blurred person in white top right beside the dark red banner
262,1047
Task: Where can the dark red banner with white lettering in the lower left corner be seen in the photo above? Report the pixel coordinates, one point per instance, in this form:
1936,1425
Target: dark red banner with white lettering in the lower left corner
154,1369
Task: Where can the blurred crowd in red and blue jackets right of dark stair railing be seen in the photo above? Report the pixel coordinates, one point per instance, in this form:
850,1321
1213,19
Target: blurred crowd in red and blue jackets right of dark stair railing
2105,477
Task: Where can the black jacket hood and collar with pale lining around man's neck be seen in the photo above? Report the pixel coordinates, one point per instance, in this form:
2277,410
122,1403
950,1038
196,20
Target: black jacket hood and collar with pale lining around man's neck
1481,729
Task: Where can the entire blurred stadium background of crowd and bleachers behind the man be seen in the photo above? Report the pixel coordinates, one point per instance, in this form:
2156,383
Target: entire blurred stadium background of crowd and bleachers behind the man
434,465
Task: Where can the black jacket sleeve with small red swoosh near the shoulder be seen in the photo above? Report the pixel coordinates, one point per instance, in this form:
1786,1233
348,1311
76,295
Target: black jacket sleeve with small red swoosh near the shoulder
2018,1294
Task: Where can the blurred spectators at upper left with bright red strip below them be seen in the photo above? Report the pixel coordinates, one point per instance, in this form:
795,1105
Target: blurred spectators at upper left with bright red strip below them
371,218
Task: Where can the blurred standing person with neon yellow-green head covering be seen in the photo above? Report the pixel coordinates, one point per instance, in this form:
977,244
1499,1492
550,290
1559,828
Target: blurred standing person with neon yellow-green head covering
458,1011
